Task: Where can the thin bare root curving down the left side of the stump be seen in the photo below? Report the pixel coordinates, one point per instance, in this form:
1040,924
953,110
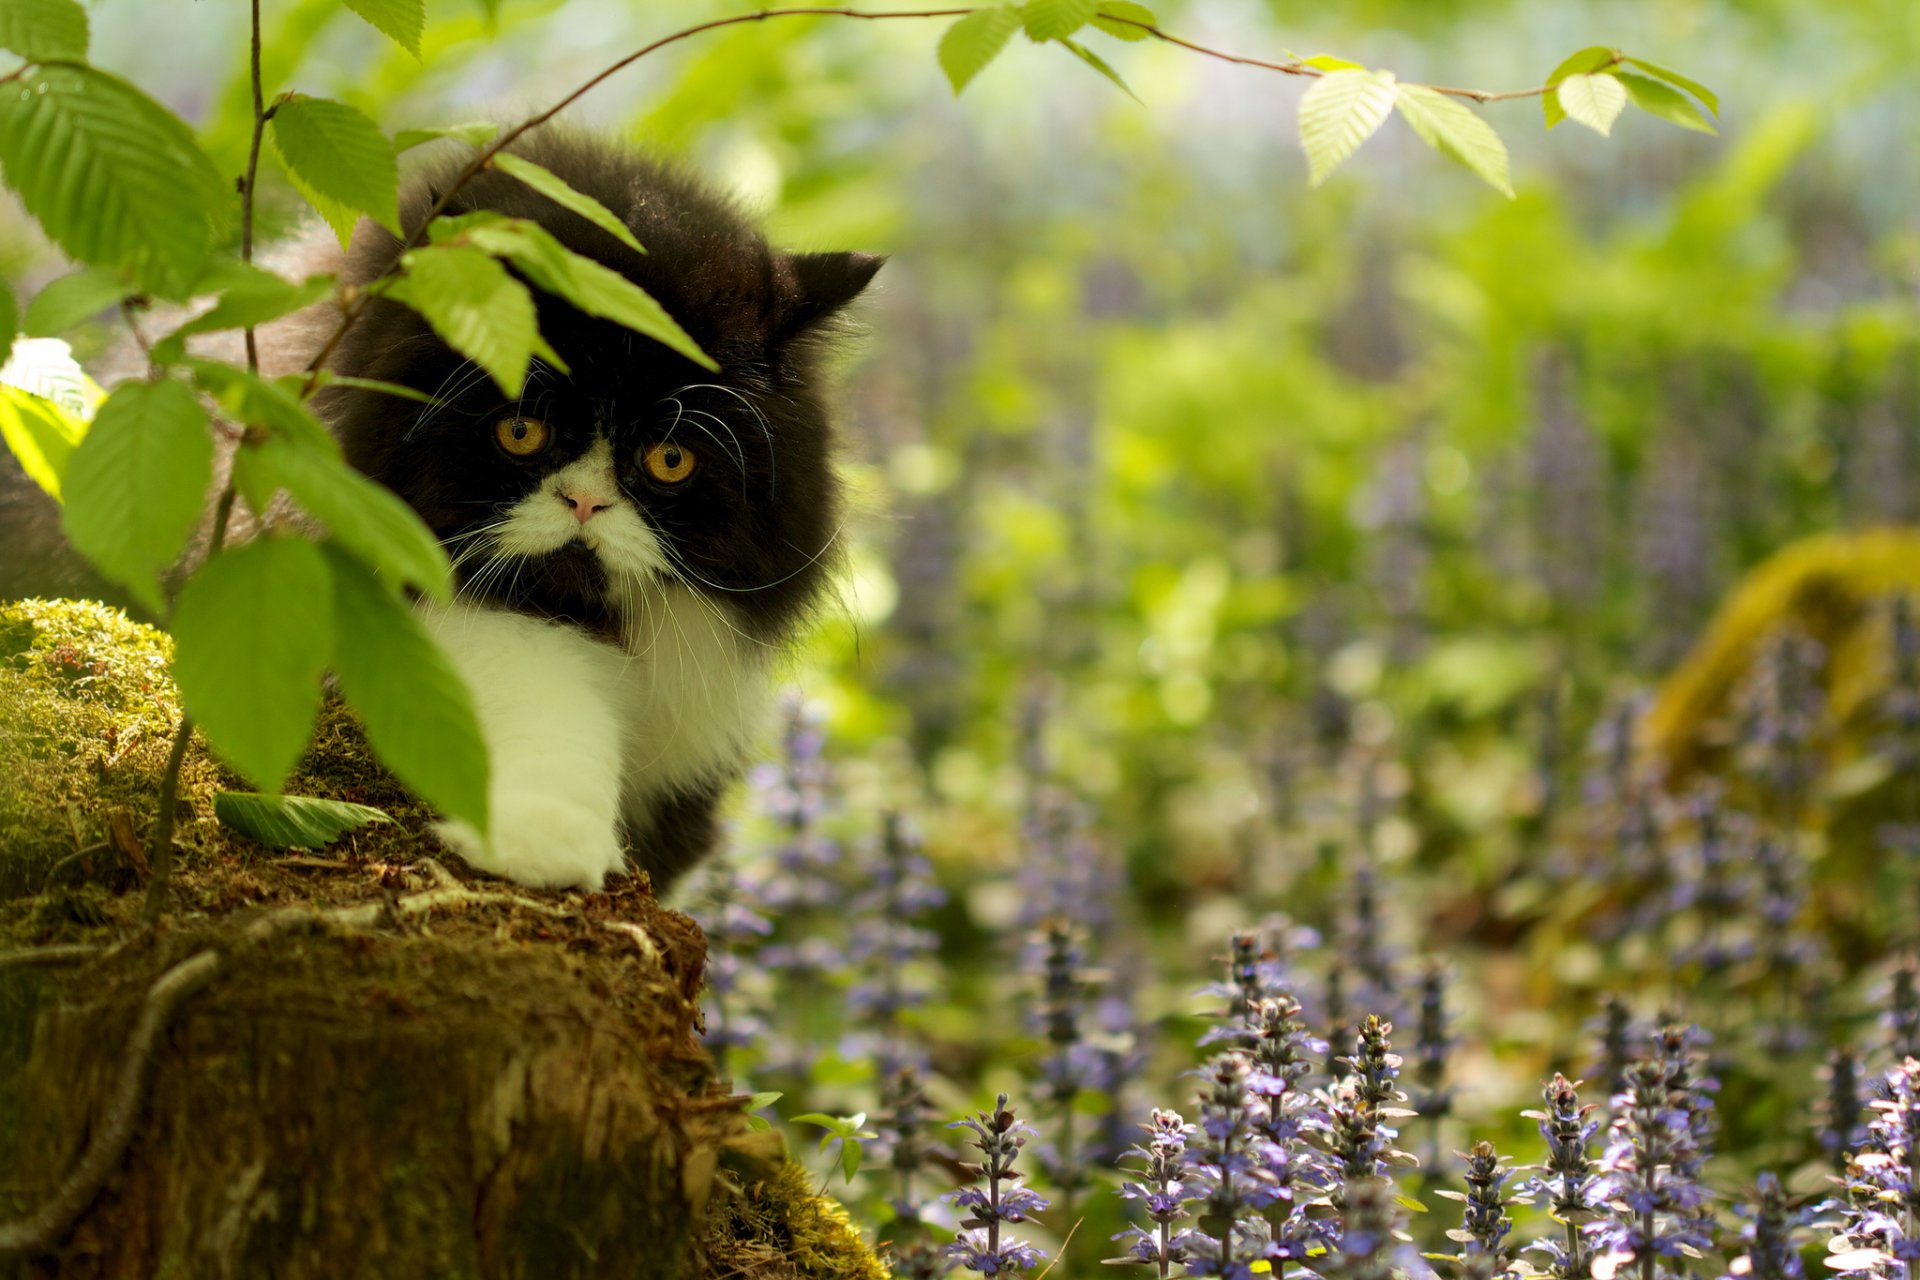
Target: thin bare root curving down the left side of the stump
47,1225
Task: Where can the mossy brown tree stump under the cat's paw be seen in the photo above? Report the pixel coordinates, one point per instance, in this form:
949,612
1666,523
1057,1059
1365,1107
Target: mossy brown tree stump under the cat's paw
379,1068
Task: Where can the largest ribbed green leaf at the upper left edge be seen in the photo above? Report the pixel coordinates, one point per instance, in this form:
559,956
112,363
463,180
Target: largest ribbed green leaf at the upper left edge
112,178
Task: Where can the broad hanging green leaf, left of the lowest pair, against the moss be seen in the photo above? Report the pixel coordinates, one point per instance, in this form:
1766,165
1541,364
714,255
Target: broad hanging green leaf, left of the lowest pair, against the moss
252,634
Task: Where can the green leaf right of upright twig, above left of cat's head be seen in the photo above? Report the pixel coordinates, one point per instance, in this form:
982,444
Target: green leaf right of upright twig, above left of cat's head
339,160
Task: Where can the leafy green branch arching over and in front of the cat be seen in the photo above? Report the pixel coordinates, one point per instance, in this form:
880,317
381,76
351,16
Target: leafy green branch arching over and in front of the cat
128,191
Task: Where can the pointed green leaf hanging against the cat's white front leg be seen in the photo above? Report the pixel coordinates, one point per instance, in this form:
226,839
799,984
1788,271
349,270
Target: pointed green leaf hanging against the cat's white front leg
416,707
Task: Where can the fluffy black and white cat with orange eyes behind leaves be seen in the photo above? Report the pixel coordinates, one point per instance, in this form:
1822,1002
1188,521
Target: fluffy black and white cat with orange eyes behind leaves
635,542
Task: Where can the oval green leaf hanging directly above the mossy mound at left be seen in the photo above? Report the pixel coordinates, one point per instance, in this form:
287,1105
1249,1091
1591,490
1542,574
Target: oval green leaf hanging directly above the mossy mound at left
137,485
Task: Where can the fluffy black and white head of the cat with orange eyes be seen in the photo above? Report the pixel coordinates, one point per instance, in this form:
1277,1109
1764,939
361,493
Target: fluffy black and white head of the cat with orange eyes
636,467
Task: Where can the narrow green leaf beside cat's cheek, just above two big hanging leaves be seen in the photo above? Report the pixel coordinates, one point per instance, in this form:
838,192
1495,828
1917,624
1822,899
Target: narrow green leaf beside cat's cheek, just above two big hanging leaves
366,517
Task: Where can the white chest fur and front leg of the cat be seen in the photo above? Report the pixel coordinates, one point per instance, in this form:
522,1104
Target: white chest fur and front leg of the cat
588,738
